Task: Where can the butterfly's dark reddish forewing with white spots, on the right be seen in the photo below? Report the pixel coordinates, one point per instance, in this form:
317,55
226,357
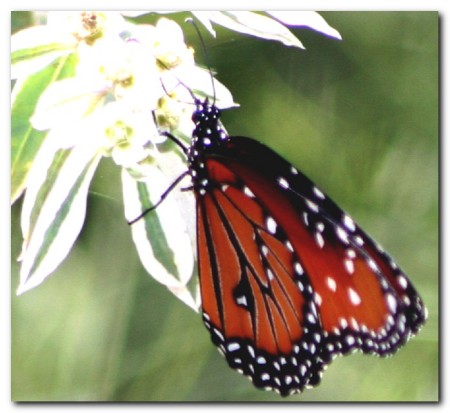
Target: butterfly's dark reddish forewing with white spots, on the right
365,301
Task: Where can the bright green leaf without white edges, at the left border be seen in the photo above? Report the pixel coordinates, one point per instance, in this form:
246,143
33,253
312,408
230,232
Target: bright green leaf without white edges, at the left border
25,140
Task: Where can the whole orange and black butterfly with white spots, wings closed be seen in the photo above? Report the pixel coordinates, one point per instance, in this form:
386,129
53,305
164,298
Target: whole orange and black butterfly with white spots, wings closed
288,280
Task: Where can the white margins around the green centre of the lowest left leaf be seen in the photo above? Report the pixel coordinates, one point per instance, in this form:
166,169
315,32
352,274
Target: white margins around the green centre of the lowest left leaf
80,164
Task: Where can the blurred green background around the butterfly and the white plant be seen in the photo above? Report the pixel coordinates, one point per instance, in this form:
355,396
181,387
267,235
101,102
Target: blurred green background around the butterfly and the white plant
360,117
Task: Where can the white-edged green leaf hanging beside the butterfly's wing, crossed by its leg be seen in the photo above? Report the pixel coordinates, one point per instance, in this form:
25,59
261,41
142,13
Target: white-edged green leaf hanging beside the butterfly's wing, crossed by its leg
161,237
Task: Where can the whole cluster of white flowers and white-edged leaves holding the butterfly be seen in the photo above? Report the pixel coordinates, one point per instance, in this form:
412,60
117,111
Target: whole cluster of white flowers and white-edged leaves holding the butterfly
115,88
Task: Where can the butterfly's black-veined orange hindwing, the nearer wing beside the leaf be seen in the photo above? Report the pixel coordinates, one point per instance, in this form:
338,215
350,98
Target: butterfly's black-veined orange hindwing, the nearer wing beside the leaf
258,315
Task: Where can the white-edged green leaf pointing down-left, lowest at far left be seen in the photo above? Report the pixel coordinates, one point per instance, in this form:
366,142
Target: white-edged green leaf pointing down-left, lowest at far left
53,212
